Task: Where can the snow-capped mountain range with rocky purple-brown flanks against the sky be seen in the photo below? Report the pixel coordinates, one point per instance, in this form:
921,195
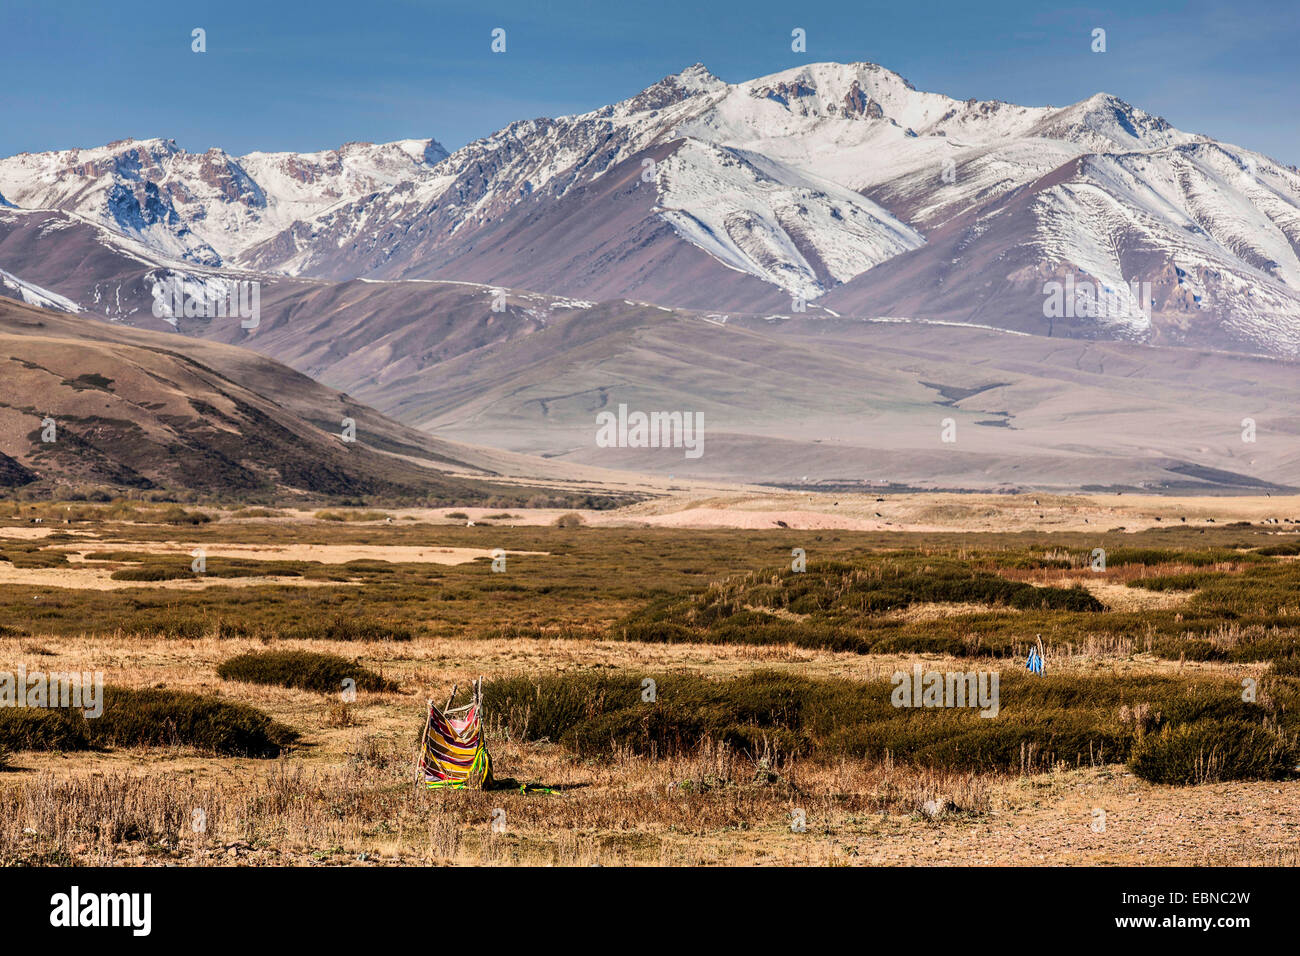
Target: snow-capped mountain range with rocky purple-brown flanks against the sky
835,184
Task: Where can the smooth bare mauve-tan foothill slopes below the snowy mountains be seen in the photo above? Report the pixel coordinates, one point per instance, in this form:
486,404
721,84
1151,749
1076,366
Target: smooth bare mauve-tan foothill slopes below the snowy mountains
837,400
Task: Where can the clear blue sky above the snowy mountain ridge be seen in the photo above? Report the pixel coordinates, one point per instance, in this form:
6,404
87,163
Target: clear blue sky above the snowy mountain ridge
307,76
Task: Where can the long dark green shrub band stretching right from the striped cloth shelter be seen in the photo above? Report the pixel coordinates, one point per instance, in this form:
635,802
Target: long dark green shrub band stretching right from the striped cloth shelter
1043,720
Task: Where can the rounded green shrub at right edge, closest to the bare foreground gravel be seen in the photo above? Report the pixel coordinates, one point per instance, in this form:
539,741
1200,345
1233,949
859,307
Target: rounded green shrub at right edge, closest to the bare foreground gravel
1212,751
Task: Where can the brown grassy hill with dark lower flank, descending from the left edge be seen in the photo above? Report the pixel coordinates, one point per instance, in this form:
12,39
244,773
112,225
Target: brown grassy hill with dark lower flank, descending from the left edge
153,412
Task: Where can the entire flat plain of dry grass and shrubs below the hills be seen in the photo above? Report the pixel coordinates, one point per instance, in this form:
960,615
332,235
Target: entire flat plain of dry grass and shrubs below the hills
696,592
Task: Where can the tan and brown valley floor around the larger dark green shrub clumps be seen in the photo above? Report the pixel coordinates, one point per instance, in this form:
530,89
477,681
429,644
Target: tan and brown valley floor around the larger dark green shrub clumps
345,794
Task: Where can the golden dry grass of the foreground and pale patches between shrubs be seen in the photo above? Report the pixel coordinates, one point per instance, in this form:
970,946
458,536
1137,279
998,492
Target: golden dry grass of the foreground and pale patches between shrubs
345,795
